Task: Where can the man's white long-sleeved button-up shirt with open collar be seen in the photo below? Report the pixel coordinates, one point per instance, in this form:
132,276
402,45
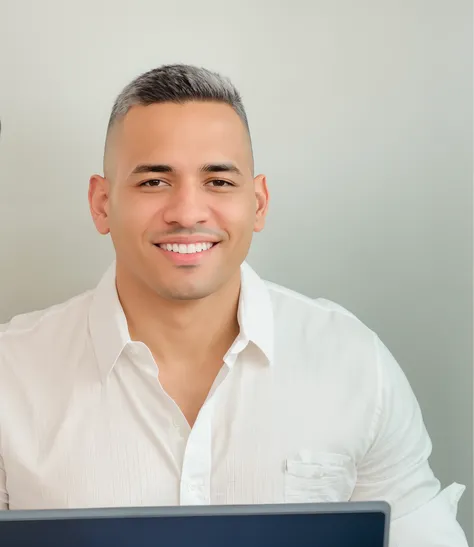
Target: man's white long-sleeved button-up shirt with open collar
309,406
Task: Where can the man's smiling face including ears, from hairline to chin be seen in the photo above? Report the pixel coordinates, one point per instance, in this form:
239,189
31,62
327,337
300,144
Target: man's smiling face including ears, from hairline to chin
179,198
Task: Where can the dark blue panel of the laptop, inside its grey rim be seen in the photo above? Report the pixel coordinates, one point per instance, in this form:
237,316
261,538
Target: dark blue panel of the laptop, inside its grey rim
232,530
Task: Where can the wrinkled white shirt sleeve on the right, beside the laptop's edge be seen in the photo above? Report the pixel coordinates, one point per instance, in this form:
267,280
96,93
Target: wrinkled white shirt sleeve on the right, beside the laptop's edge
396,468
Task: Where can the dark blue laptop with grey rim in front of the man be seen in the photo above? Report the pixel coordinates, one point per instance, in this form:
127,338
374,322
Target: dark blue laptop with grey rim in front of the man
355,524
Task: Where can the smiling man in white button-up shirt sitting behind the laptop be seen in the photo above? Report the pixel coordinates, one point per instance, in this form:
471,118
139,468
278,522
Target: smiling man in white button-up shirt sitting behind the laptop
184,378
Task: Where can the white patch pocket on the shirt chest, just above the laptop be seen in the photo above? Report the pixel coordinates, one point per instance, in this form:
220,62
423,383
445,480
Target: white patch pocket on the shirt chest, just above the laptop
319,478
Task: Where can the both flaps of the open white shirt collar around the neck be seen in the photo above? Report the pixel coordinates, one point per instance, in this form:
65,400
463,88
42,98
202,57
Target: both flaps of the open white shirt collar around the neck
109,330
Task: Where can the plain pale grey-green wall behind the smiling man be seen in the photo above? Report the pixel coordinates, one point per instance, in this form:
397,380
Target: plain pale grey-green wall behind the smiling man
361,113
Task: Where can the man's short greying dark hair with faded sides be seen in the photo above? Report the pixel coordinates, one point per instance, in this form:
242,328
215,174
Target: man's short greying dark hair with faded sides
178,84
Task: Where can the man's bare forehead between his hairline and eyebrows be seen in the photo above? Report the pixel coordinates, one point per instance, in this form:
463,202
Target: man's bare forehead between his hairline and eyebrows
206,132
